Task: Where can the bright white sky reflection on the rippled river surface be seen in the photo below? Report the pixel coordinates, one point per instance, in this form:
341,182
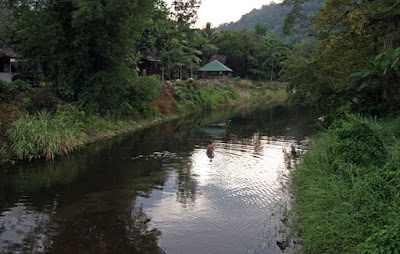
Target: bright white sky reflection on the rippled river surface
234,190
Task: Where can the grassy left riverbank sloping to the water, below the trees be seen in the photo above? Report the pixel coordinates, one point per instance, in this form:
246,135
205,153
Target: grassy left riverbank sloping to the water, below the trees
33,130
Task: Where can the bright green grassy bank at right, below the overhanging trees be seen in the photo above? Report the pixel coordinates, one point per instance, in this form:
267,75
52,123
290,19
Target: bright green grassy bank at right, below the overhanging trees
347,189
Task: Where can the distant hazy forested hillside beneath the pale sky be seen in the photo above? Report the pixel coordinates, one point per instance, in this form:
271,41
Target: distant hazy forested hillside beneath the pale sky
273,16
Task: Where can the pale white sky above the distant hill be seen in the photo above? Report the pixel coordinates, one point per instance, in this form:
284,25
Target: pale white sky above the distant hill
224,11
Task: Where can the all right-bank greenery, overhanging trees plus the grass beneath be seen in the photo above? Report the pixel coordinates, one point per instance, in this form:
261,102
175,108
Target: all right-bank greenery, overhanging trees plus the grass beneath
347,187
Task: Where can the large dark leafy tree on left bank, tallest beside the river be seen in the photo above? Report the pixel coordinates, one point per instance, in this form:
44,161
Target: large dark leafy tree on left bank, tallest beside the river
84,47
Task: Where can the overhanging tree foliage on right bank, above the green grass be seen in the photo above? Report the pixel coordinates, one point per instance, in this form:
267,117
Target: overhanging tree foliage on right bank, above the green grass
351,37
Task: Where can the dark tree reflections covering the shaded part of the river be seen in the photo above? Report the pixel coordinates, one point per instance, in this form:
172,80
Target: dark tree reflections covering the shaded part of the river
91,195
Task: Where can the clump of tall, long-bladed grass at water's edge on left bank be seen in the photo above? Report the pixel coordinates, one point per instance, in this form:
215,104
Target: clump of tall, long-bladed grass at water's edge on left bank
44,135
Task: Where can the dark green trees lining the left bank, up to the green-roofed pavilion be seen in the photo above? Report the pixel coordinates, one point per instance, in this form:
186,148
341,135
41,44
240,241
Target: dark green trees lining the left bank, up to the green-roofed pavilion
90,52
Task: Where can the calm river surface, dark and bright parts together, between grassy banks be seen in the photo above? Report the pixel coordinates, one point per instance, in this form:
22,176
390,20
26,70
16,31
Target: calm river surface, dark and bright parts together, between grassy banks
156,190
